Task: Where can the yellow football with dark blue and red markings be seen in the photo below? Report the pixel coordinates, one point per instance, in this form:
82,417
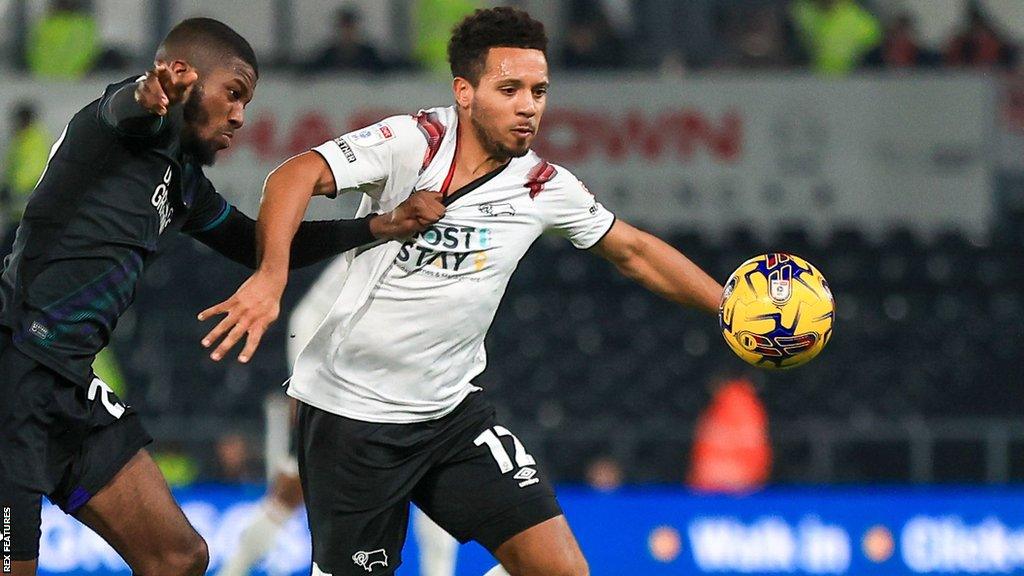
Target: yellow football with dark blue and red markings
777,312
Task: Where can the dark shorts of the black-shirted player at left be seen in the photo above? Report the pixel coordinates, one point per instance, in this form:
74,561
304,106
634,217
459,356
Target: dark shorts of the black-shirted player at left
58,439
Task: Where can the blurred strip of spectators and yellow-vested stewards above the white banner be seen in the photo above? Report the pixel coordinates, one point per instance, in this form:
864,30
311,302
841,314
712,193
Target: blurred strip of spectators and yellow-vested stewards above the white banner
73,38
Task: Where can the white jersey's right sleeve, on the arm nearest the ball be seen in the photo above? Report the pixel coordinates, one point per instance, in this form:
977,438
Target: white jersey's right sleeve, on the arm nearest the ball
574,213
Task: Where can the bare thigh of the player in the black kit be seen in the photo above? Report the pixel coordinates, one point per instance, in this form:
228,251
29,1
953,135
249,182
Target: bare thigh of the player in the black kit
138,516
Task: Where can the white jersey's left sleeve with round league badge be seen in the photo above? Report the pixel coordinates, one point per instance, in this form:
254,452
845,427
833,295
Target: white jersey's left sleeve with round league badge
363,160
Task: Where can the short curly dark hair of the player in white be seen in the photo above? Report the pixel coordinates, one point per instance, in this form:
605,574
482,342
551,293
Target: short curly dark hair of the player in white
486,29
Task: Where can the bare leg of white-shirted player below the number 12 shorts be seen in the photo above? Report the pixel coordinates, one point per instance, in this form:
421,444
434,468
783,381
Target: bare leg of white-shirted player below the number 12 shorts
546,550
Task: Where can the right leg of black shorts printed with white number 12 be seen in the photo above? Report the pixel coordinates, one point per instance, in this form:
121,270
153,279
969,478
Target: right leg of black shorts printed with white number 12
487,487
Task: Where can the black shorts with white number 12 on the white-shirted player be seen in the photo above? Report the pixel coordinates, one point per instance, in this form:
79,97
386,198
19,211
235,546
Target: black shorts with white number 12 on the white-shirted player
468,474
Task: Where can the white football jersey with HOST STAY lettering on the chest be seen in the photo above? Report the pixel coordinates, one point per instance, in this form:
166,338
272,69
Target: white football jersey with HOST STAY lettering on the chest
405,338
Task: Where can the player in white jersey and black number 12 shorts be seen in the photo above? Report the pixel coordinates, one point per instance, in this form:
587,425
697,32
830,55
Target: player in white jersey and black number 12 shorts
389,414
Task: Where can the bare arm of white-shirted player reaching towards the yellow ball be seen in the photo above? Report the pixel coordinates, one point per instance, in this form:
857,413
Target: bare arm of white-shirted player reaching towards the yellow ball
659,267
